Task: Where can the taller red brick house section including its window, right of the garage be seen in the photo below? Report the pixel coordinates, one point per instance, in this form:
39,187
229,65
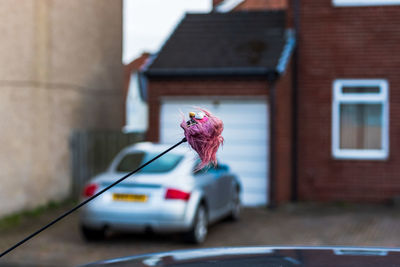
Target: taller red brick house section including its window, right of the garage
348,101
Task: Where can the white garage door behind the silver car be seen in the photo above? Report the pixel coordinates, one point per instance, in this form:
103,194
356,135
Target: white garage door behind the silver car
245,147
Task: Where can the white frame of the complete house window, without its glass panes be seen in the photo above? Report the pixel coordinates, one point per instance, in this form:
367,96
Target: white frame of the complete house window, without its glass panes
360,98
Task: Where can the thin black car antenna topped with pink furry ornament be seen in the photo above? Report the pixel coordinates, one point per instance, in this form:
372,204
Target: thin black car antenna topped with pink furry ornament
203,133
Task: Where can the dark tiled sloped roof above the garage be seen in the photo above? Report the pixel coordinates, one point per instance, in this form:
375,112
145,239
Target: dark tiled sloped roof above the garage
217,43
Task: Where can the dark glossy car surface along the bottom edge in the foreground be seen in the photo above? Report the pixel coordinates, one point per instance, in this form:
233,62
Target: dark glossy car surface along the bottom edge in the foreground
264,256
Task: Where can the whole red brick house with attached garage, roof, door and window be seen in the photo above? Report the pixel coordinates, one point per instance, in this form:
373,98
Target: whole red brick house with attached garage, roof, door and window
328,129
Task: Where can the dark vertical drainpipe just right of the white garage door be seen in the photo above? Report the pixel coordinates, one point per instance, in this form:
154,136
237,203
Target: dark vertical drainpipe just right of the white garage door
271,80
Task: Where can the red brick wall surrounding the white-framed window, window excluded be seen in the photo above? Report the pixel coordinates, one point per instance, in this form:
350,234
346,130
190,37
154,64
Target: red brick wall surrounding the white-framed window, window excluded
345,42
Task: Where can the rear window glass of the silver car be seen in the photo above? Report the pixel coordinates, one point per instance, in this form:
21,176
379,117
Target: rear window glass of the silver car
132,161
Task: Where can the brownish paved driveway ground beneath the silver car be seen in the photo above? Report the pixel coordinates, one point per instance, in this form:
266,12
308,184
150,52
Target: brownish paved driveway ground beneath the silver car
302,224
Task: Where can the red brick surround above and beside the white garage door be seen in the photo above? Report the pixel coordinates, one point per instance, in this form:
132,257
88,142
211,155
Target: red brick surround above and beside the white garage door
238,88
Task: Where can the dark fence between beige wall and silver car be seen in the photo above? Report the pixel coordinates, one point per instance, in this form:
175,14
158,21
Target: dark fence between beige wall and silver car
93,151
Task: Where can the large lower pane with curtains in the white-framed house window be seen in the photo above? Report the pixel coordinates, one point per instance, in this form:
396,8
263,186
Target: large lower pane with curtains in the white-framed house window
361,126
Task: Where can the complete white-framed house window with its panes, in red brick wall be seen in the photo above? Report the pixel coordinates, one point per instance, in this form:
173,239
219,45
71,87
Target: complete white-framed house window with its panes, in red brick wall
360,119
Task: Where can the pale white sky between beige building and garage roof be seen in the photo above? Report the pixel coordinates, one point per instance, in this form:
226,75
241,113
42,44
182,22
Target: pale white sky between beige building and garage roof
148,23
